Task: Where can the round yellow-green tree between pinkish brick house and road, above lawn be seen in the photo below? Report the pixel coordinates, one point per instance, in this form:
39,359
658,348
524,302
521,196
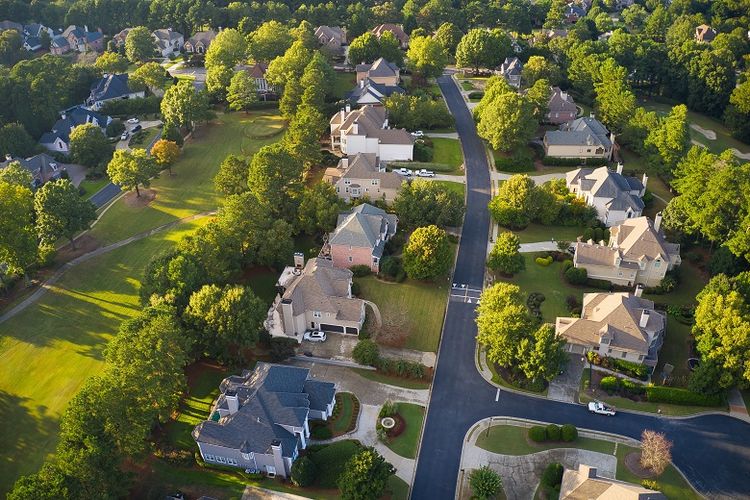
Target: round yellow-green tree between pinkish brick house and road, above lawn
428,254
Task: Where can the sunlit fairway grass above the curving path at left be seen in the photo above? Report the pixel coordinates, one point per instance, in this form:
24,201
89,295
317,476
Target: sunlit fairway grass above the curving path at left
190,189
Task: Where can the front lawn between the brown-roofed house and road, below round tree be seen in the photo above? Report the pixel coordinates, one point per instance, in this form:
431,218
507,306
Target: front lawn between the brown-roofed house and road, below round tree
414,308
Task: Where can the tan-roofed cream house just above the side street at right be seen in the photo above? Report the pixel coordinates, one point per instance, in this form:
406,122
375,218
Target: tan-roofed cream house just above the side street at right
619,325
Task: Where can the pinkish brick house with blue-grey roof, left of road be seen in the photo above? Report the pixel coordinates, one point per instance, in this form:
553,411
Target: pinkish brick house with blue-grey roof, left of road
360,237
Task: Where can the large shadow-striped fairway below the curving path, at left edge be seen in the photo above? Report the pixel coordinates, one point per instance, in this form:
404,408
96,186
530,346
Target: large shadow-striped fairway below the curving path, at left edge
53,346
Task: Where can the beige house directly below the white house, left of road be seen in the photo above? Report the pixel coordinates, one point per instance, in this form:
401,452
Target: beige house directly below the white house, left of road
362,175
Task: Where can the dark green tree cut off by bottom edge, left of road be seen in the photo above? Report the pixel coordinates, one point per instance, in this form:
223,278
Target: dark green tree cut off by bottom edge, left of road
365,475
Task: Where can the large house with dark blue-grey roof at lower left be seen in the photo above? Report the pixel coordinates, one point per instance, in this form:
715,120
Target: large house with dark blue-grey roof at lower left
259,423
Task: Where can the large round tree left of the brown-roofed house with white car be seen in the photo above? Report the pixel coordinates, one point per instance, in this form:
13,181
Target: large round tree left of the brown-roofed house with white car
226,319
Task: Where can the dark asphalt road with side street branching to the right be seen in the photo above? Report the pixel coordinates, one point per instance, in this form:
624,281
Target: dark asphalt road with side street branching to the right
712,451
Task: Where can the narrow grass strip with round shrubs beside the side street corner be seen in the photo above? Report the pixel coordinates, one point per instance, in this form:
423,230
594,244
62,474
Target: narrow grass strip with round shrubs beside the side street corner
513,440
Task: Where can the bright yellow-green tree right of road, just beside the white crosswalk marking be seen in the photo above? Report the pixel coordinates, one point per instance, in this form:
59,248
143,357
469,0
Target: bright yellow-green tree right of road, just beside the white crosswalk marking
503,321
